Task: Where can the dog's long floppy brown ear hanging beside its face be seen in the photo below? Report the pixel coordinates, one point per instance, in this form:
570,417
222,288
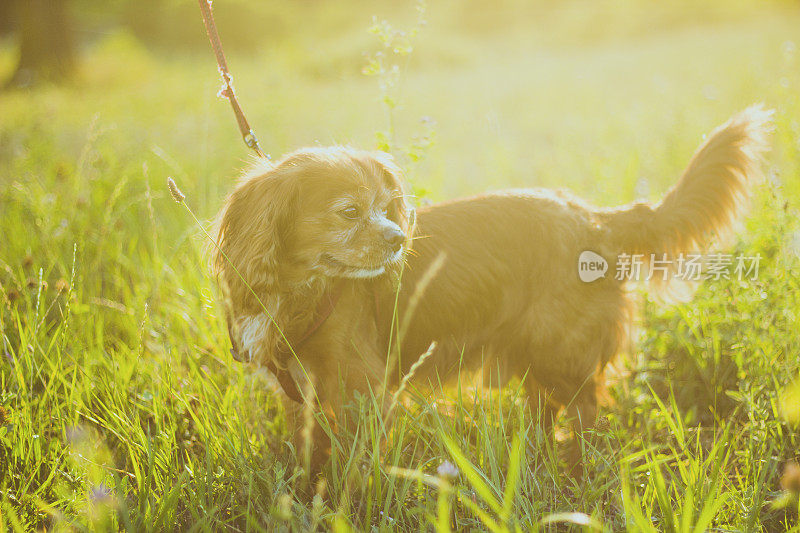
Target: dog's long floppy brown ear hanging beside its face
253,229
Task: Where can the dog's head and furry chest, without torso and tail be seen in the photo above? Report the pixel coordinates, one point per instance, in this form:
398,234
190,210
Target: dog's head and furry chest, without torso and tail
293,231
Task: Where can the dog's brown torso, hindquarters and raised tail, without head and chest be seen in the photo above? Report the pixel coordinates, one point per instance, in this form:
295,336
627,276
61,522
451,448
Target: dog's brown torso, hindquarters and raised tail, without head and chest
509,295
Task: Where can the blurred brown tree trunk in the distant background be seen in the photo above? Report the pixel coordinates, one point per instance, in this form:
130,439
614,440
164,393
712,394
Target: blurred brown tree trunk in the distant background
47,50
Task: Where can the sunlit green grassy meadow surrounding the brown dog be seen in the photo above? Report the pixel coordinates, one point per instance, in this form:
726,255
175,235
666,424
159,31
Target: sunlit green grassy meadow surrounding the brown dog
123,409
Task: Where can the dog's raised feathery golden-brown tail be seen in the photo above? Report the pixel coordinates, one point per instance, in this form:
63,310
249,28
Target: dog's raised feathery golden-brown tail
707,199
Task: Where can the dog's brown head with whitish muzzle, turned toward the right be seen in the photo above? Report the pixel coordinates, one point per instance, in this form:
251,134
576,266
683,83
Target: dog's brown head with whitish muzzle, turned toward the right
318,212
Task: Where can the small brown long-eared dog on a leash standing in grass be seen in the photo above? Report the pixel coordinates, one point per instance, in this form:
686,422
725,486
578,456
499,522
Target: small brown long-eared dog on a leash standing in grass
320,239
